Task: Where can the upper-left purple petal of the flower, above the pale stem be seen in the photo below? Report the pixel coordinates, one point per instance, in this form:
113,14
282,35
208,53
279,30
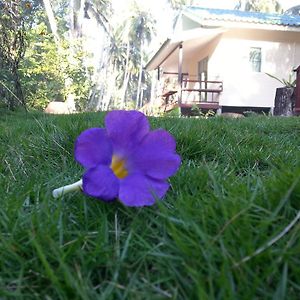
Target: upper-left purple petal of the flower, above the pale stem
93,147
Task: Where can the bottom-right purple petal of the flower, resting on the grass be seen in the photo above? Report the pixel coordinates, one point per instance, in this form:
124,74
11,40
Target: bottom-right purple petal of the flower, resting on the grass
139,190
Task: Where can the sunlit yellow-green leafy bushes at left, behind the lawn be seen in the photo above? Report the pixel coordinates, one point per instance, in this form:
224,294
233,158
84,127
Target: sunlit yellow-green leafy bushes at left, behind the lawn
45,70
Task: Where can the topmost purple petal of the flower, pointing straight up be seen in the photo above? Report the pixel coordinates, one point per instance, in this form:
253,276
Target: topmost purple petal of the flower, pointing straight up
126,129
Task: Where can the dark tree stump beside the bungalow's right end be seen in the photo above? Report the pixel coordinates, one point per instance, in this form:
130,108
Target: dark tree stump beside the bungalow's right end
284,102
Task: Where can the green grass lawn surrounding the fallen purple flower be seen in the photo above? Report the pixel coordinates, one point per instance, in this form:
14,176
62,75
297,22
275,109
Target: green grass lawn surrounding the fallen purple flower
237,188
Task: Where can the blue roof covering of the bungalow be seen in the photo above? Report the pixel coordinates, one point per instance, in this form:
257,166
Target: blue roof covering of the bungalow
203,14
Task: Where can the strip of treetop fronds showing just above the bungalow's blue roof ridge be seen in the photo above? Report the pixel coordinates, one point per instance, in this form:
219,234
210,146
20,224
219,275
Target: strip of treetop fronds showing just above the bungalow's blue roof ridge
269,6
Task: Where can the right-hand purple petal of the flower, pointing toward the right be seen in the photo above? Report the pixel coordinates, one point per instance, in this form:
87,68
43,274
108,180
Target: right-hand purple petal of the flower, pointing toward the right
156,156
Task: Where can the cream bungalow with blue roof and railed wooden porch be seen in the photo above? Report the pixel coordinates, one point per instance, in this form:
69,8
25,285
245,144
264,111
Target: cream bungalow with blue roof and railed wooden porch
220,59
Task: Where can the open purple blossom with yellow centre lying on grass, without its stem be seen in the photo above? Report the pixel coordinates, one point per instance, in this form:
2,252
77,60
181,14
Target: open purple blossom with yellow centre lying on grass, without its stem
126,160
